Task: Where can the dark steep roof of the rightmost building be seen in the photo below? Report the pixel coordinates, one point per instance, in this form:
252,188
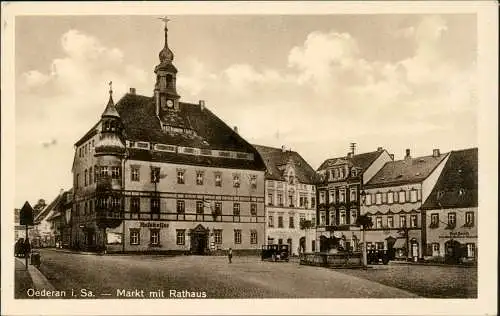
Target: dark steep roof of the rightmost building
456,187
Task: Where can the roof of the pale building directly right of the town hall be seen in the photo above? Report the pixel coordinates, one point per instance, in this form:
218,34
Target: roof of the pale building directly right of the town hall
274,158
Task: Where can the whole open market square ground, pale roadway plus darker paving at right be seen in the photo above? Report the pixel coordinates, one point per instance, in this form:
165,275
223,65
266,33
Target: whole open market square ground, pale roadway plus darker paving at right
150,276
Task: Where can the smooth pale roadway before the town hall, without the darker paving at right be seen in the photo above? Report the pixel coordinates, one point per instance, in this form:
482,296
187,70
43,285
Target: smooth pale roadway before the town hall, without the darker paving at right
246,277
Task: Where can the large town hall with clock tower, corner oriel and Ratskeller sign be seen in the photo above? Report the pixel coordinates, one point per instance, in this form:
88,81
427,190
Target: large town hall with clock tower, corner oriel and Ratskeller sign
157,174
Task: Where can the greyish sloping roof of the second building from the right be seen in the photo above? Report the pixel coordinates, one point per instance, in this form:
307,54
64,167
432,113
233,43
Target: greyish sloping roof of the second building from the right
408,170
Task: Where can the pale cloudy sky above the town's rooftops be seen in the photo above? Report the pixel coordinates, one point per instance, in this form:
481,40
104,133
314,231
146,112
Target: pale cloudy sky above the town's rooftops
311,83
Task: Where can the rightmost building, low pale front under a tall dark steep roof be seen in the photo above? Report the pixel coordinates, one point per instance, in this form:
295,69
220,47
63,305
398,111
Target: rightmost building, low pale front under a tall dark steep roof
450,211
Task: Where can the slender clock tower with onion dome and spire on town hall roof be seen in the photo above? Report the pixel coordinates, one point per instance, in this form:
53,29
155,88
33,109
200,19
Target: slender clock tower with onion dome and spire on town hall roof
166,97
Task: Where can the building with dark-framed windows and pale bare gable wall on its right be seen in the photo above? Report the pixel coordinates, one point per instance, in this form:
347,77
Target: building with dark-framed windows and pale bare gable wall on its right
342,180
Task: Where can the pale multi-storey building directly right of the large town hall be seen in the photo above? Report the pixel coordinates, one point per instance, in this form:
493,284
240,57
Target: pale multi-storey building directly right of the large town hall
290,199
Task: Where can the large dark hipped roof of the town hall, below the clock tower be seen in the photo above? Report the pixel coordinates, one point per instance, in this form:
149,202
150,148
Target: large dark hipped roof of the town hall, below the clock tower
140,123
